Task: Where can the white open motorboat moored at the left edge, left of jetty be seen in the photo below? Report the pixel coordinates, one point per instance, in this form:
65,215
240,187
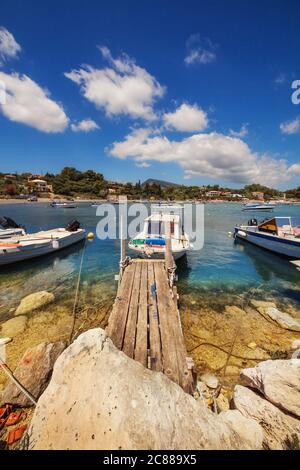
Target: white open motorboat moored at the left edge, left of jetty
23,247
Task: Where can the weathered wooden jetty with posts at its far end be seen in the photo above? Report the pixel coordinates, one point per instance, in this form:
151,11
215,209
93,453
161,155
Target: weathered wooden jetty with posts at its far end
145,322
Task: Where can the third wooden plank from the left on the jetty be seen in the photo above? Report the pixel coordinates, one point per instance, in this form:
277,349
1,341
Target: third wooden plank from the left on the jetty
141,345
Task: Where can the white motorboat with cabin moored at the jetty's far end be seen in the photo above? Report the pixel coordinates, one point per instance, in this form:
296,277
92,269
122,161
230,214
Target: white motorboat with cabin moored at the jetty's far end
151,242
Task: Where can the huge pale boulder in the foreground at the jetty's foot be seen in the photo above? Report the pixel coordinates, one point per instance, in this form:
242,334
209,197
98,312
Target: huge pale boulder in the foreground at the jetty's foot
98,398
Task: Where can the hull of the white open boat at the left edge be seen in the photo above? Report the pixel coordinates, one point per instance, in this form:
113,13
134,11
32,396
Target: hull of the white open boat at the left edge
22,253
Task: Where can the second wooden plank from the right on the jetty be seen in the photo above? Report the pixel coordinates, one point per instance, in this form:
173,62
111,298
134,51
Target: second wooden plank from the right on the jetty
165,306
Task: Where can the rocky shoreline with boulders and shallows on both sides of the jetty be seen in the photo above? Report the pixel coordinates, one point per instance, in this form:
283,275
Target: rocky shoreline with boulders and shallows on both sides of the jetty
247,396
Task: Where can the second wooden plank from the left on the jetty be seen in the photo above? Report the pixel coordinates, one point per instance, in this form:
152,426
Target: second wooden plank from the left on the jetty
130,331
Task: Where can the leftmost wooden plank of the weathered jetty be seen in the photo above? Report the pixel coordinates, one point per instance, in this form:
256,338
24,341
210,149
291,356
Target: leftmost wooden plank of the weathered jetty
118,318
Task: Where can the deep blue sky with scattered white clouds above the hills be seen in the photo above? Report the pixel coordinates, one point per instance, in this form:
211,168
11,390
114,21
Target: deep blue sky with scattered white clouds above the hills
191,92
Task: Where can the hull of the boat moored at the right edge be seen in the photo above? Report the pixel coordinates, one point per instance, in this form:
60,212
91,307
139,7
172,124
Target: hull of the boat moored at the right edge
285,247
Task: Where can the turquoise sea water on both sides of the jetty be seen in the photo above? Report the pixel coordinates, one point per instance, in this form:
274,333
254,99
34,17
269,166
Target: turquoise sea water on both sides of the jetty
221,268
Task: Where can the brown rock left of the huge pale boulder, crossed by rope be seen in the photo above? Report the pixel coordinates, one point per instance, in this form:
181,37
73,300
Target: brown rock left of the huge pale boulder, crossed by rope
33,372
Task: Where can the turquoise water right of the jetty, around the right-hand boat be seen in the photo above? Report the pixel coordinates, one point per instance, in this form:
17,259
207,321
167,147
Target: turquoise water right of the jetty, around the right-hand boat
224,265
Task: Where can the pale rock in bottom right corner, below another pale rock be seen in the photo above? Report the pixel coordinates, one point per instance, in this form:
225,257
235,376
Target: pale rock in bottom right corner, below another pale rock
279,427
